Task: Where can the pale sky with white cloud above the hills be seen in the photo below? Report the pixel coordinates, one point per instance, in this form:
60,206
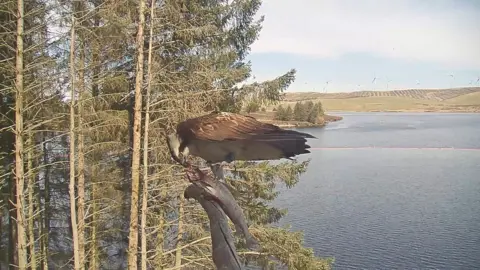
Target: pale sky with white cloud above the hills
352,45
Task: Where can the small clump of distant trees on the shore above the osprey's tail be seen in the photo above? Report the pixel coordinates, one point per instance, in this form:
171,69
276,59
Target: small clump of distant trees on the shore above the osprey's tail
302,111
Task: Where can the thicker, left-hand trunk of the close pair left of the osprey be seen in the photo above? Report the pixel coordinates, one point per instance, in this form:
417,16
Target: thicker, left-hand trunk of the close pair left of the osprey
133,234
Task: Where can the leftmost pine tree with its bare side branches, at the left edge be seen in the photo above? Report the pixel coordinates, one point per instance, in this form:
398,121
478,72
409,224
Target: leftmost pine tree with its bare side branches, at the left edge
24,97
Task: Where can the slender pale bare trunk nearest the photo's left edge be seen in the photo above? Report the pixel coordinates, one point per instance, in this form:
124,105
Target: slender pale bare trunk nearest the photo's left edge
19,171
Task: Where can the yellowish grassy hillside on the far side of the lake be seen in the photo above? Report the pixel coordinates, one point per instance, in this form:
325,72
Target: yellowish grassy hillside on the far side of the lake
420,100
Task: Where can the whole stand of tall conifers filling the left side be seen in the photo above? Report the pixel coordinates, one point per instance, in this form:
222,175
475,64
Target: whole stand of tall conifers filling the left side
88,89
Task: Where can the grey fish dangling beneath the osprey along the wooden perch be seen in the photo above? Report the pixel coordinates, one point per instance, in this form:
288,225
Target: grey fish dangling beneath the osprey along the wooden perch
220,192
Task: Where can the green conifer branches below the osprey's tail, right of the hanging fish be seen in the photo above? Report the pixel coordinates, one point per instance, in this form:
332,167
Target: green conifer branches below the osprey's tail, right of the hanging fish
254,186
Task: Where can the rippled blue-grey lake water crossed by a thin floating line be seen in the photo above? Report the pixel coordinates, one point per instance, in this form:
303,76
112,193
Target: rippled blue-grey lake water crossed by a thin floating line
392,208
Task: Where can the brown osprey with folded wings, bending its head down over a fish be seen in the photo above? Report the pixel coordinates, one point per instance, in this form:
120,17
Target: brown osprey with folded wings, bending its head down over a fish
224,137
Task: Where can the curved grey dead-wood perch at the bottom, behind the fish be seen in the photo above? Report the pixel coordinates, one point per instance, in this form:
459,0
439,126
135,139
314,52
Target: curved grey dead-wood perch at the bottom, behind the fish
224,253
